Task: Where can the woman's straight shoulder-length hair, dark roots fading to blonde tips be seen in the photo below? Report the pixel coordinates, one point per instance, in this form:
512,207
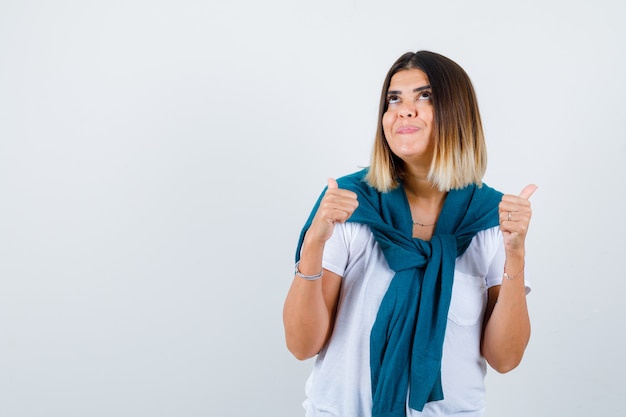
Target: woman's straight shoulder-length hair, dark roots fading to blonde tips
460,154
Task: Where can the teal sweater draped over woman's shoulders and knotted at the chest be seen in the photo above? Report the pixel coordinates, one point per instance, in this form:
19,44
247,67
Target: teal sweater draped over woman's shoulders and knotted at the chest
406,340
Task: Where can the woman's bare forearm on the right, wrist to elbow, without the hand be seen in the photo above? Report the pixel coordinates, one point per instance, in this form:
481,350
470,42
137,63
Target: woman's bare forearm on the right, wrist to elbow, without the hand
507,329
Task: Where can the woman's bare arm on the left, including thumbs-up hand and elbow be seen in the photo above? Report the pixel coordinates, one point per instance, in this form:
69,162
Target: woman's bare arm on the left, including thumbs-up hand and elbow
310,306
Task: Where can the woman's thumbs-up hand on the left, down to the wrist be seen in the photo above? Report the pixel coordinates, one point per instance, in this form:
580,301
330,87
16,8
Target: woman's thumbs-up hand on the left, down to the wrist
337,205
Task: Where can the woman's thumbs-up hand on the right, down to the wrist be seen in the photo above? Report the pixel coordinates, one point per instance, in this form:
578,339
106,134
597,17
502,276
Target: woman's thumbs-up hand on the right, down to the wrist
515,213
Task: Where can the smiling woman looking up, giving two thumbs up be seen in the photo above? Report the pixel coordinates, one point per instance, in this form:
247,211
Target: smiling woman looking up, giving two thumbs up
410,273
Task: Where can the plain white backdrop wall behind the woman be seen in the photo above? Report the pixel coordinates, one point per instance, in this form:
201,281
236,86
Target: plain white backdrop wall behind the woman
158,158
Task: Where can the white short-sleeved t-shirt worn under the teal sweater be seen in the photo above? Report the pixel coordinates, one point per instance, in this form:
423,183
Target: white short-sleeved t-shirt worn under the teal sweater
340,385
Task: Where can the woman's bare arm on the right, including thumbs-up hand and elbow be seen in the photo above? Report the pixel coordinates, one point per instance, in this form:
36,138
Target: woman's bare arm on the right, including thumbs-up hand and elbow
506,328
